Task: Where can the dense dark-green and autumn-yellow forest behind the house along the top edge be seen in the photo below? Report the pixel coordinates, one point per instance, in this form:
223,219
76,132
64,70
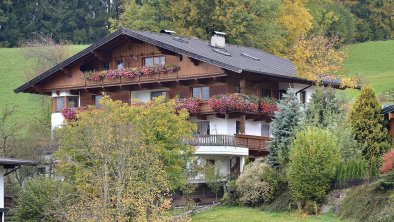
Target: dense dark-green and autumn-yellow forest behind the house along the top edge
249,22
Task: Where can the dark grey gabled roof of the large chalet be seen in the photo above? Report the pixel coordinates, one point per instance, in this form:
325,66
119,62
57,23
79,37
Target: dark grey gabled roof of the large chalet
233,57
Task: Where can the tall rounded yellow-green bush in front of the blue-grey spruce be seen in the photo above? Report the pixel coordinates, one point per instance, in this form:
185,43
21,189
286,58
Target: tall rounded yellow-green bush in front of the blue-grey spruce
314,156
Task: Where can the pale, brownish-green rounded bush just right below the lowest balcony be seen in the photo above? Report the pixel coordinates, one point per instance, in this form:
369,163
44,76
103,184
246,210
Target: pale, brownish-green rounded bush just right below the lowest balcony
257,184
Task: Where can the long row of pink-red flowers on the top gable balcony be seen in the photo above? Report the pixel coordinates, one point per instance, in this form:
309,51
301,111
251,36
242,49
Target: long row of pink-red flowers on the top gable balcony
130,73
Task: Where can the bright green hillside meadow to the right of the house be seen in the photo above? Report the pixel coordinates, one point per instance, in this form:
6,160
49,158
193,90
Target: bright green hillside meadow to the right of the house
374,63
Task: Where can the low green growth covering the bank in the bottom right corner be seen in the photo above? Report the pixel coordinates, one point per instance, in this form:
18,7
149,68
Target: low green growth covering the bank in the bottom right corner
365,203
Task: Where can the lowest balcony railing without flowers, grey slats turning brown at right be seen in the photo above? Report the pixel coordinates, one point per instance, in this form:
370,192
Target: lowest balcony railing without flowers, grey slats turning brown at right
255,143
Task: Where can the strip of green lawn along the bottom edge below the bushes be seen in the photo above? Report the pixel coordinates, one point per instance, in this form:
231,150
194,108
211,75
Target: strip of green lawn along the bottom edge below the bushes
242,214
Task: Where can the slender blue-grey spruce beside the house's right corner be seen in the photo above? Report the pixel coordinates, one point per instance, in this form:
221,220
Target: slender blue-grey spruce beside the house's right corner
286,121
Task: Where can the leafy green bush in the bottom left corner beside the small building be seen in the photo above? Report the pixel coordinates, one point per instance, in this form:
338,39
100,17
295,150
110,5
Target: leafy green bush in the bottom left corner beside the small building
44,199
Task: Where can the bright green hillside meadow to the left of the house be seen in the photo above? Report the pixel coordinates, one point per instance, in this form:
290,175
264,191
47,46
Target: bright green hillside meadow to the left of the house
13,68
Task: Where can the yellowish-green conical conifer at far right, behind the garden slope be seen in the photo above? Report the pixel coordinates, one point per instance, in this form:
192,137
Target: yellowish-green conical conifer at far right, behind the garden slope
367,124
